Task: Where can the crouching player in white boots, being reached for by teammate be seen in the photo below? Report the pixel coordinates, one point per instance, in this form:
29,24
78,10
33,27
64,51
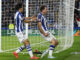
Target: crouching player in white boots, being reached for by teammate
42,25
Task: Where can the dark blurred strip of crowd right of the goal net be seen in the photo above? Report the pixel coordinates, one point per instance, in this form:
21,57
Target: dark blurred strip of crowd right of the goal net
77,14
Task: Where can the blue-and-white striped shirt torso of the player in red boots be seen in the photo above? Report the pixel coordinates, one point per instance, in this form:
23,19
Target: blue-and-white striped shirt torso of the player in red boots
18,22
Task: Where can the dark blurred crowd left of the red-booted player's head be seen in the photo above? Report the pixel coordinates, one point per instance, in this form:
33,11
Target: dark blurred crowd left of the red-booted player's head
8,10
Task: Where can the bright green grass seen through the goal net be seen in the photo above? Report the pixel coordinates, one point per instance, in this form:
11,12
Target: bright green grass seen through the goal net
10,42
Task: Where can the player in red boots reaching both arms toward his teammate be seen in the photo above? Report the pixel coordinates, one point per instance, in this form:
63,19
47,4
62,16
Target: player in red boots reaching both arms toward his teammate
20,20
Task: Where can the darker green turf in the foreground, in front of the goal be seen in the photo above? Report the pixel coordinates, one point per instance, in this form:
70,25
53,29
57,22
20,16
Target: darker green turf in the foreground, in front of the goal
64,55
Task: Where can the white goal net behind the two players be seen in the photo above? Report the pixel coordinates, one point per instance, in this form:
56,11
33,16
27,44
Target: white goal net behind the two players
60,23
